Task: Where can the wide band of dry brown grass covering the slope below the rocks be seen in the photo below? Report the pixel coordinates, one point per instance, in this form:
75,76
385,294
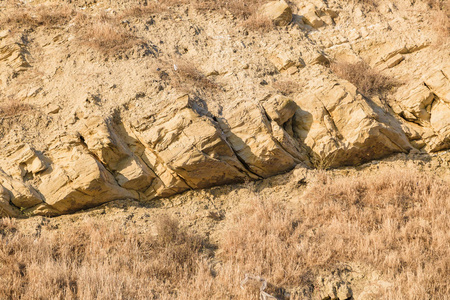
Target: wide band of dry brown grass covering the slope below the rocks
394,222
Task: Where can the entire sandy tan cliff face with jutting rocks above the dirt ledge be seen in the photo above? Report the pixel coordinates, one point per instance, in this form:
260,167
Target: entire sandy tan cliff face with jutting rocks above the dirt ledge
102,102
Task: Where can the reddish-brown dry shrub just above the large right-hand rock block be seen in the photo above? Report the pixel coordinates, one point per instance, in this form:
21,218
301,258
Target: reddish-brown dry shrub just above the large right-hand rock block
367,80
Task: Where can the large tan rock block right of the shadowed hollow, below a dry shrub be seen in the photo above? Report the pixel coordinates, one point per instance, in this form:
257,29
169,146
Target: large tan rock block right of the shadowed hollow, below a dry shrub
342,128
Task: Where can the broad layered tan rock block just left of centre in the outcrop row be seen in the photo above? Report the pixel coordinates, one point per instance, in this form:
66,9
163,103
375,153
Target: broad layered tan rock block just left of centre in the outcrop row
191,146
